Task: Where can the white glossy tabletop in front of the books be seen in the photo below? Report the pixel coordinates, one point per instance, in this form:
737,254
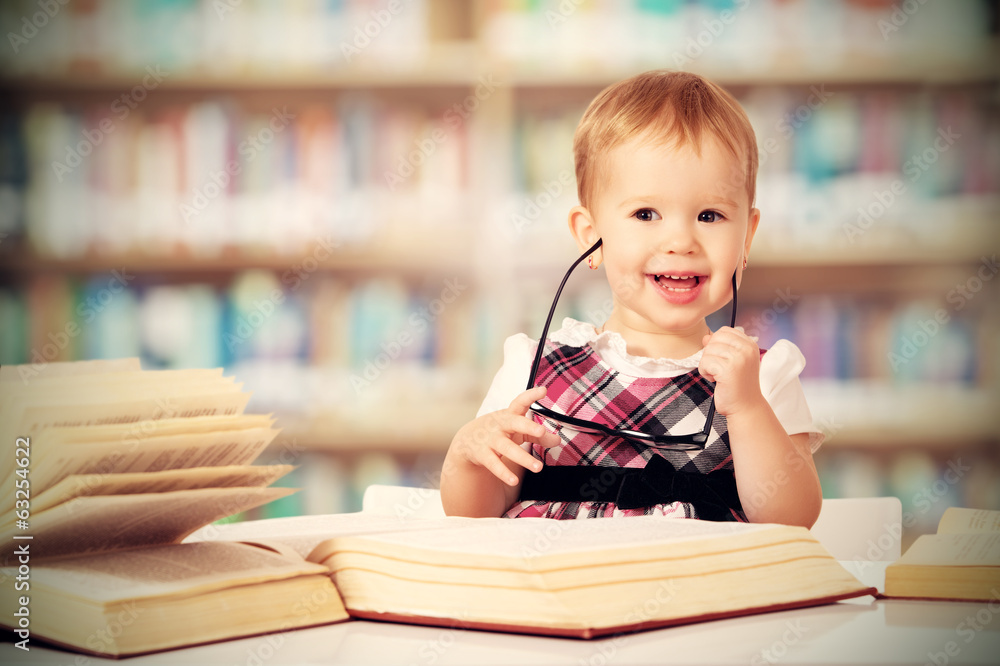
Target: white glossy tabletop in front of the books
863,631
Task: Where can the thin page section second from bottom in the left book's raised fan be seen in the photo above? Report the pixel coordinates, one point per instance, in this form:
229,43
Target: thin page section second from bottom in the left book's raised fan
82,485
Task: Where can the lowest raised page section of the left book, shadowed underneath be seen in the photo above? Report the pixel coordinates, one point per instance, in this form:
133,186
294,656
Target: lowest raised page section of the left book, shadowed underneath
105,523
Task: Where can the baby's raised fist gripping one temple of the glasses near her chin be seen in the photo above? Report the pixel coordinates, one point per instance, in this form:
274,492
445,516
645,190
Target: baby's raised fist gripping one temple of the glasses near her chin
731,359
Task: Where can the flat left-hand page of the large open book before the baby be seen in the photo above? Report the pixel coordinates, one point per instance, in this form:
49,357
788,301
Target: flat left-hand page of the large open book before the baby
304,533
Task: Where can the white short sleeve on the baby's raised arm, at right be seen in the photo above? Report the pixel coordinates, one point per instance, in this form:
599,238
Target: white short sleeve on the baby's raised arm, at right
779,382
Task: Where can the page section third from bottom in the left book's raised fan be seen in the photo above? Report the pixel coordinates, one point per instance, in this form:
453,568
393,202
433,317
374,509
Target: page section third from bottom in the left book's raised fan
213,449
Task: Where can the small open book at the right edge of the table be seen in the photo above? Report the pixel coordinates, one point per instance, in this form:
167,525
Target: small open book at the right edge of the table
961,561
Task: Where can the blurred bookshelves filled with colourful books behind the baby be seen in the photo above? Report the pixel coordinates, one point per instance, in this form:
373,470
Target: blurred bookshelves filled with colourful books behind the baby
351,204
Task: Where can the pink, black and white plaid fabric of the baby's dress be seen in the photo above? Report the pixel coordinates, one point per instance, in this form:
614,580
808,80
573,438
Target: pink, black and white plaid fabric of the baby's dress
581,384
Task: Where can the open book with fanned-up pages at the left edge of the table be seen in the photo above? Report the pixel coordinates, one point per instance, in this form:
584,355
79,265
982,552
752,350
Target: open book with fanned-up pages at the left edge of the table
107,468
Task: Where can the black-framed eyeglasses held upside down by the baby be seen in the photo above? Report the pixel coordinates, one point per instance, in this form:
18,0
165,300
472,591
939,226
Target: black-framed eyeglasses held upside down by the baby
692,442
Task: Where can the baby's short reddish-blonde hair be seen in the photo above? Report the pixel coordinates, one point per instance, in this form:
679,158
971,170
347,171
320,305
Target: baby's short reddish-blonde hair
674,106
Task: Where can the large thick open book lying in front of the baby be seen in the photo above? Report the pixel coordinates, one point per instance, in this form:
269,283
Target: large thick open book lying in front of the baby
581,578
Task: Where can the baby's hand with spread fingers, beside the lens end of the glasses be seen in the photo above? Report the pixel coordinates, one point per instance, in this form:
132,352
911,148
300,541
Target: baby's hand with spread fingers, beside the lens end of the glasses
483,441
